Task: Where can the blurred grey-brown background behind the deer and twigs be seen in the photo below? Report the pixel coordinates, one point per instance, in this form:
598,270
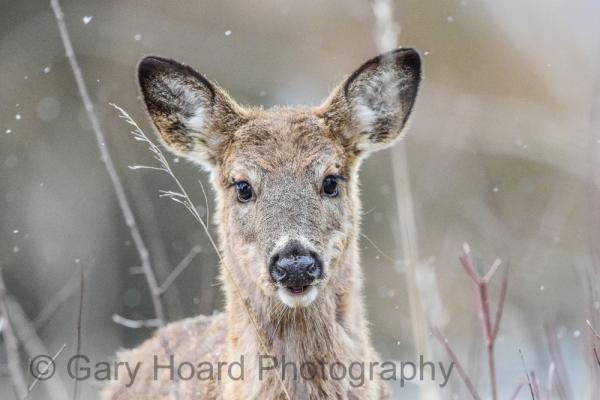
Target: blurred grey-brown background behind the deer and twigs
503,152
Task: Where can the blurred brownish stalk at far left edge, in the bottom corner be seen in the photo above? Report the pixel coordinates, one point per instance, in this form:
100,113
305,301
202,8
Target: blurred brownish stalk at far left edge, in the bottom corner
12,345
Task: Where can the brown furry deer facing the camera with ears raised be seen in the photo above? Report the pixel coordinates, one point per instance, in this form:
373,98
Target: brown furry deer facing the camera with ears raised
288,219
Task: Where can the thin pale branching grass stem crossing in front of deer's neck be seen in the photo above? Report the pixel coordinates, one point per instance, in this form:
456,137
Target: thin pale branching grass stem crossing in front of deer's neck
181,196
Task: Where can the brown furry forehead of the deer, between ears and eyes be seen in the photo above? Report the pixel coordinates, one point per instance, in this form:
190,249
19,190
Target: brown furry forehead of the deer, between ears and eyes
285,140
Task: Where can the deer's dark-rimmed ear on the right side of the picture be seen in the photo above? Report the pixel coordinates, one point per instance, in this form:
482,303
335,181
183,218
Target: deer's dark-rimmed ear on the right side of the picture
370,109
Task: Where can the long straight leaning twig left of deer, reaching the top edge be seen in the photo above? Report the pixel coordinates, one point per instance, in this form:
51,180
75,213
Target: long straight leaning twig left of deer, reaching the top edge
117,185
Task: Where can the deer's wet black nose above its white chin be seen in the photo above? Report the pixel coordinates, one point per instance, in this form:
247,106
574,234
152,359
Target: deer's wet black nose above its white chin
295,267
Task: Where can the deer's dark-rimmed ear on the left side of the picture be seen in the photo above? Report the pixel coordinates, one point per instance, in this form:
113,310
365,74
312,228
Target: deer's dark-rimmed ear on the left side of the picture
193,116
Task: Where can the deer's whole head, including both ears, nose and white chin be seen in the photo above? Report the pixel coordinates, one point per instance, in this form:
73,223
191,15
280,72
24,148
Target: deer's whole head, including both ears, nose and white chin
285,178
